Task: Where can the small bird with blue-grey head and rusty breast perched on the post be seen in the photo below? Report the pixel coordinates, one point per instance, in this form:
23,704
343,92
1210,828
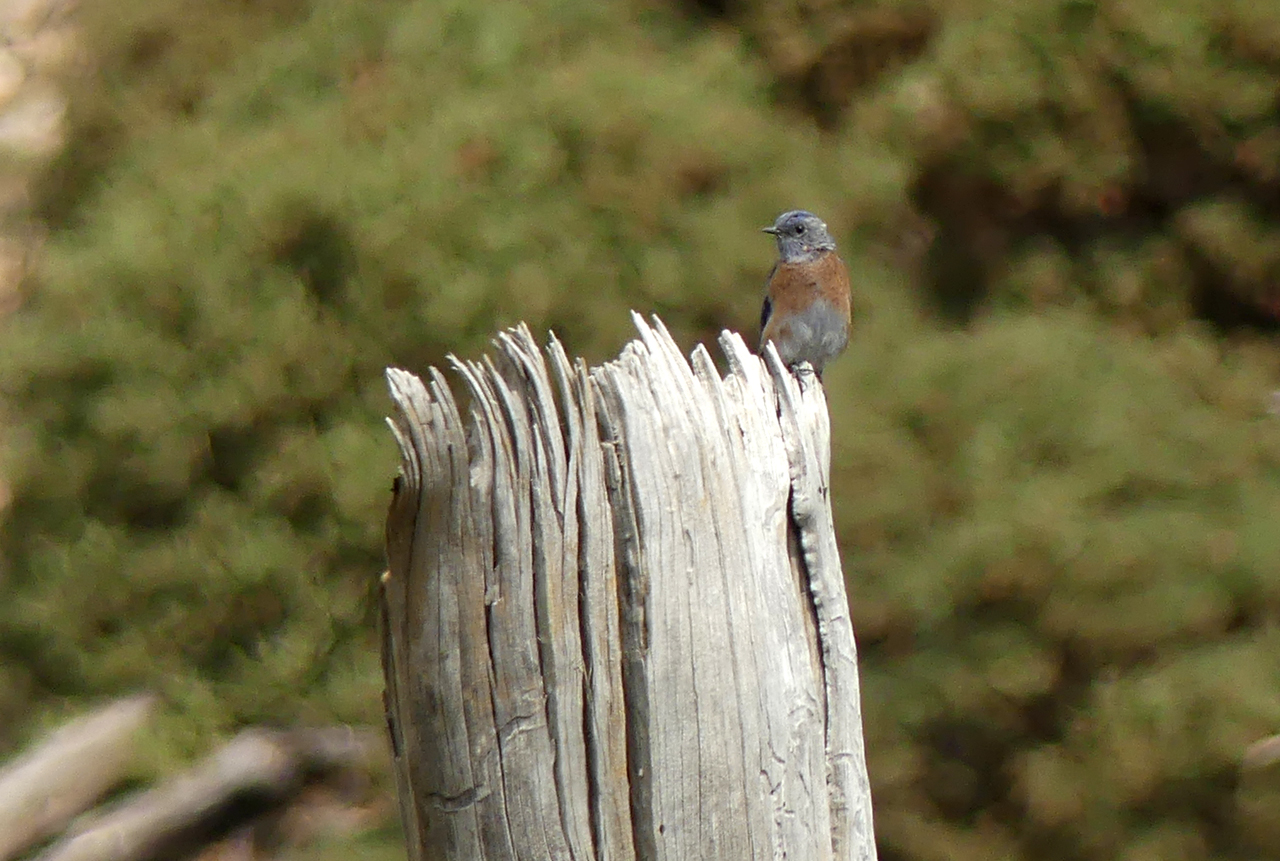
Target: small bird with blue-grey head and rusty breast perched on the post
808,308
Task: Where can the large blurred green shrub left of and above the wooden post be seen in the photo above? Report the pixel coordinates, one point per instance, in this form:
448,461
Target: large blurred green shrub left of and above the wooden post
196,457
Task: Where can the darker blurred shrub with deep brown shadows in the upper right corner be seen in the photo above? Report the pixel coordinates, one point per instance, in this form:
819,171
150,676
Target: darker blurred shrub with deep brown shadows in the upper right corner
1123,155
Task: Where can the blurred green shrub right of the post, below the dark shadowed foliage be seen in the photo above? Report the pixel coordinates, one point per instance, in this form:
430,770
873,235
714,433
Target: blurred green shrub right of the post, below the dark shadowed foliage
1063,557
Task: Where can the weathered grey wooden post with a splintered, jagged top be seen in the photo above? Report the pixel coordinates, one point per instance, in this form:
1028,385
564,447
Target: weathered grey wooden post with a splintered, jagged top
615,620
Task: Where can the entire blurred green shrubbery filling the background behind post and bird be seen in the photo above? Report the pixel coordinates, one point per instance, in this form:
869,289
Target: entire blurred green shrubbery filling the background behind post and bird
1058,483
